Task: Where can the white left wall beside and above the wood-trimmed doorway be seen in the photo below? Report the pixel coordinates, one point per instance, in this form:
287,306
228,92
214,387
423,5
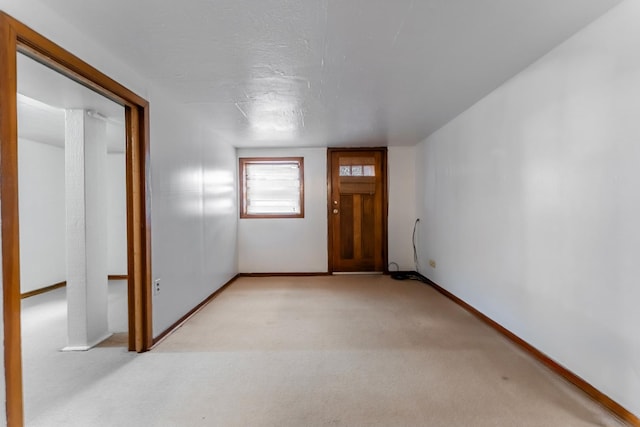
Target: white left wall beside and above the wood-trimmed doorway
180,145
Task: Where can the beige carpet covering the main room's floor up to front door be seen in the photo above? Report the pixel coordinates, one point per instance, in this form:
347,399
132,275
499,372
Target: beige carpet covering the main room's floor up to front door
328,351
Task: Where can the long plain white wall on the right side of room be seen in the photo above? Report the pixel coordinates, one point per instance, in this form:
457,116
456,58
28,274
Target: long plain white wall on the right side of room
529,203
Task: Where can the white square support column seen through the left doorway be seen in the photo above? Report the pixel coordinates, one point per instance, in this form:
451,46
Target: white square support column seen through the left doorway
85,184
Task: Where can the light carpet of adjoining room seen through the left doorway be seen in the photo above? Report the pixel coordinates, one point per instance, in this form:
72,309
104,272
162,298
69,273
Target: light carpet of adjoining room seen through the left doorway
51,376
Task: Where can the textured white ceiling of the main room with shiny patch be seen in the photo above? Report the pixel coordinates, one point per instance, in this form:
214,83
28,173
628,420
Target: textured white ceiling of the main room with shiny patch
329,72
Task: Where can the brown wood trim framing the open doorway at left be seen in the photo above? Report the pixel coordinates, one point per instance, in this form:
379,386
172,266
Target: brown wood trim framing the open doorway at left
16,37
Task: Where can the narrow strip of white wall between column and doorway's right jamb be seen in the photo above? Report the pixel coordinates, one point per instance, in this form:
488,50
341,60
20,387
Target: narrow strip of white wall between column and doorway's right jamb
116,214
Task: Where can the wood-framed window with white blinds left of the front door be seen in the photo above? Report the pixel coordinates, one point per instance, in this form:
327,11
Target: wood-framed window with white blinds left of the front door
272,187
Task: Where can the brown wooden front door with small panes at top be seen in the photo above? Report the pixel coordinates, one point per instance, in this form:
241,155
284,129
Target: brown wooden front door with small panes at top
357,210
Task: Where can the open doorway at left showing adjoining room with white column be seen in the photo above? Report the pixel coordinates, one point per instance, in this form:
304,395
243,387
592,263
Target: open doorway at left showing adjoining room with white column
73,280
